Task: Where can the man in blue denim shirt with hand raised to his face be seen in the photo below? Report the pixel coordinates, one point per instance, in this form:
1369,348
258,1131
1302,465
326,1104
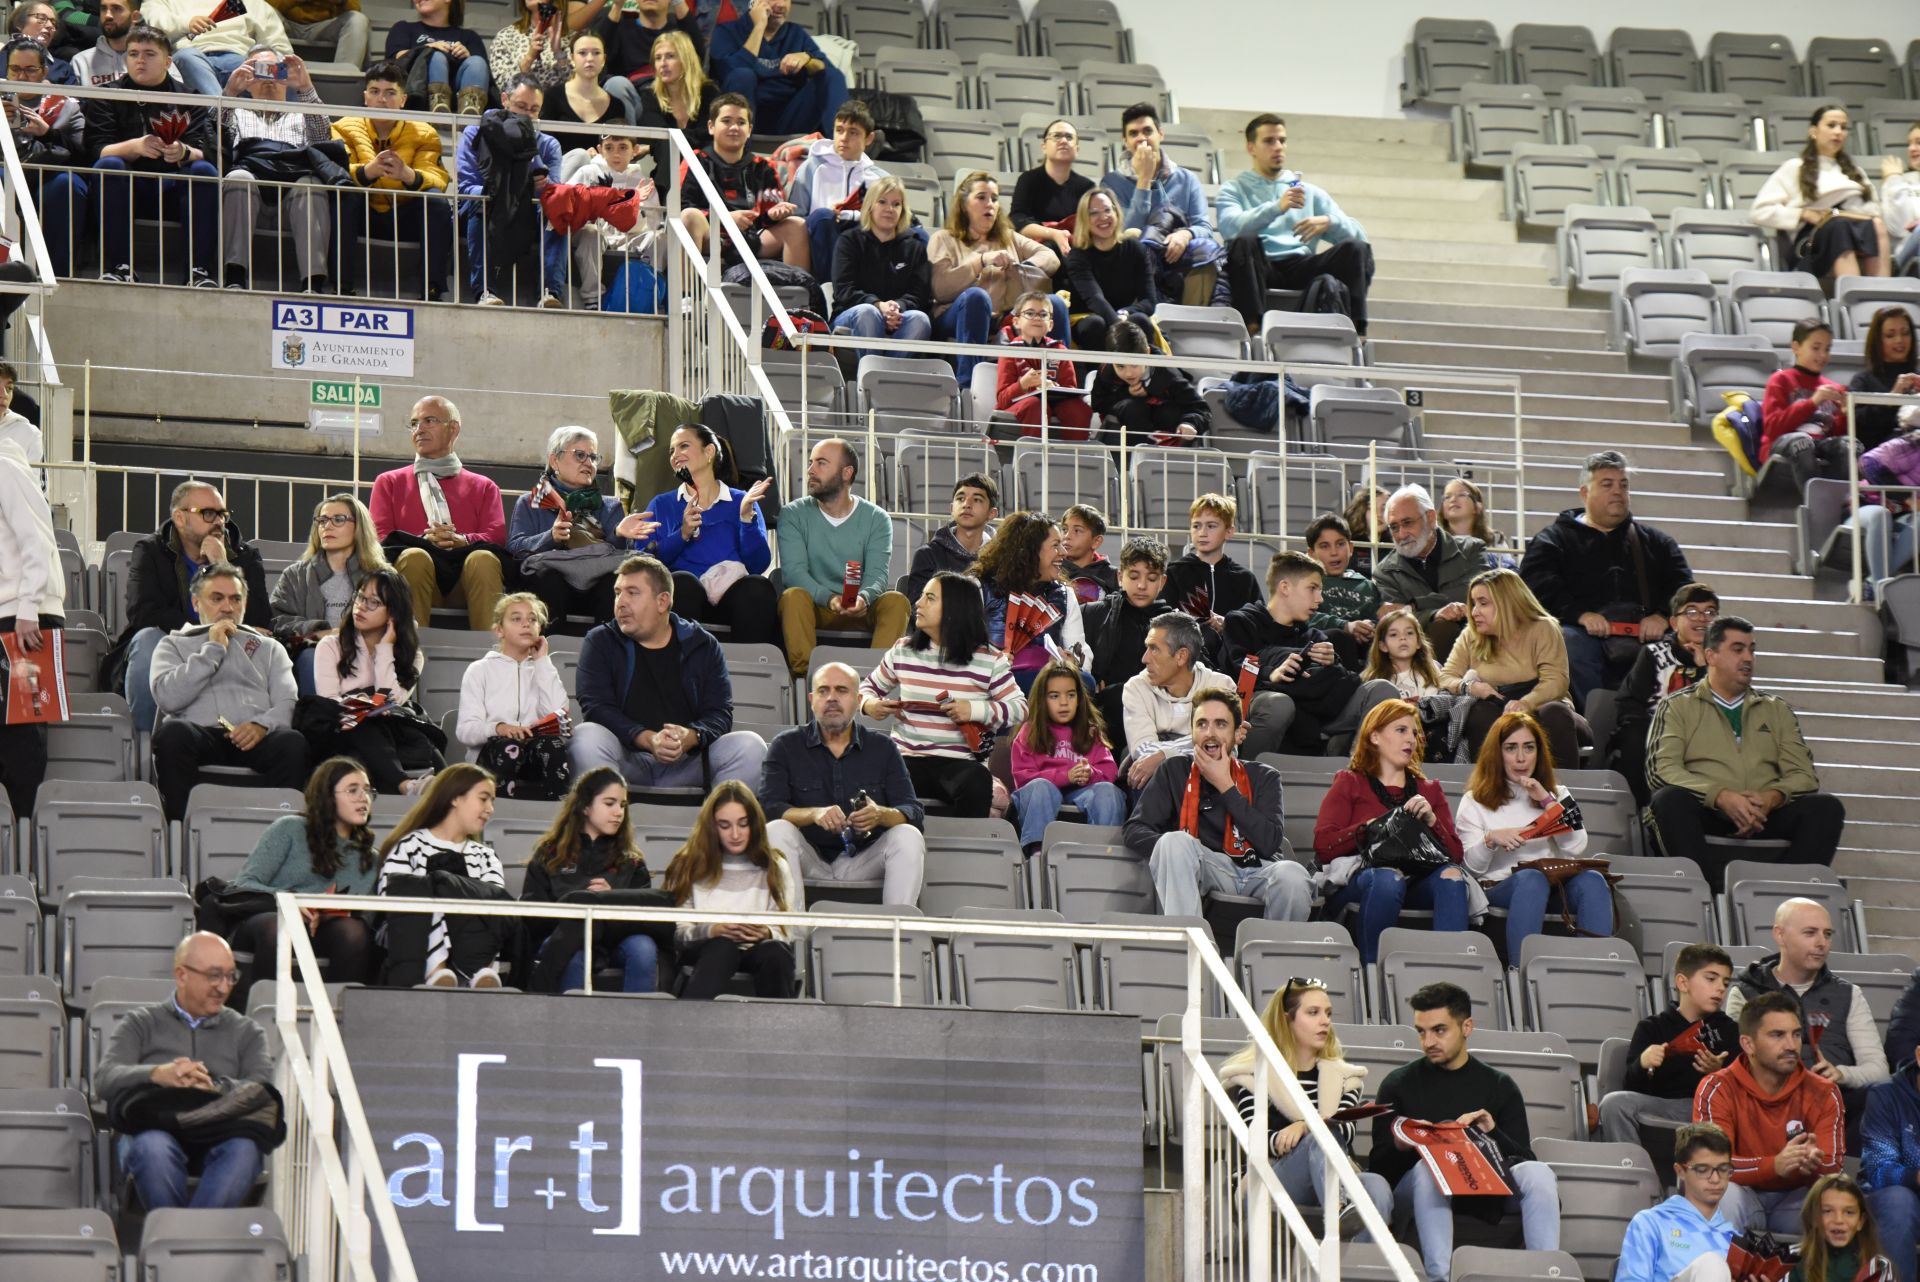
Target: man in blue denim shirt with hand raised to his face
1166,206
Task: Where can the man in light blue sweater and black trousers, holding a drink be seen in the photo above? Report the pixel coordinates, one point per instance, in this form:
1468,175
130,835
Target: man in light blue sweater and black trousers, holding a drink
1280,227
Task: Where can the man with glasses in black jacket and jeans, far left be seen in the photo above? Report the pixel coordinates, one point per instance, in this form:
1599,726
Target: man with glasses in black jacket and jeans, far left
160,584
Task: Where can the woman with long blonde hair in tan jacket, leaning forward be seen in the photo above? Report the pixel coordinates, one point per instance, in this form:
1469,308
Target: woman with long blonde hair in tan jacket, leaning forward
1512,657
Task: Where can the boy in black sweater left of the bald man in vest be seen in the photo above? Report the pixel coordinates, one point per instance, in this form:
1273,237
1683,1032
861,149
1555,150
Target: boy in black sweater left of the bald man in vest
1660,1076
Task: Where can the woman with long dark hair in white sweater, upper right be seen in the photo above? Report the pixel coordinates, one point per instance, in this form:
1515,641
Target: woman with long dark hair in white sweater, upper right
1827,206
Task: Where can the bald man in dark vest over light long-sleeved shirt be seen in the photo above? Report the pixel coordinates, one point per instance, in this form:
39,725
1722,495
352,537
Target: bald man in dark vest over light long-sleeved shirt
1840,1039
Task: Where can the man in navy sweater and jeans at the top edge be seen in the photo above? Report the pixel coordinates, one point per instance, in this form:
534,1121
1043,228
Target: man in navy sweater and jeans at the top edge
779,68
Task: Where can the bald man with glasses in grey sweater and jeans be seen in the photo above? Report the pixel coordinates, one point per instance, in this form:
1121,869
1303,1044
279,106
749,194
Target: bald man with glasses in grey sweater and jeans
191,1041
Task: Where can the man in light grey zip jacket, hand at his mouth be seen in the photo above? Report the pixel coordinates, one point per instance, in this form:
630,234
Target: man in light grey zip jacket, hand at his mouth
226,694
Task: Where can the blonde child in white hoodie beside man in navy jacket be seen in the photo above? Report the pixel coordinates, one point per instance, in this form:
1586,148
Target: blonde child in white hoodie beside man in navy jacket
506,694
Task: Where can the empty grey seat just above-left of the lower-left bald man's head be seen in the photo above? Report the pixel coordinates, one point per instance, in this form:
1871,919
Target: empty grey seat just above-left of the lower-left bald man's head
118,926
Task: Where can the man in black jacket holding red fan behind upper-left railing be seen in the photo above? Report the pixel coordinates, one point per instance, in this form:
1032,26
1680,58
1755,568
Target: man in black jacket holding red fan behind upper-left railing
166,141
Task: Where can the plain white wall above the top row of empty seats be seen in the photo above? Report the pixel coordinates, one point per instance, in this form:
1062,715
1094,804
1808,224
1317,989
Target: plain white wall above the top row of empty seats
1337,60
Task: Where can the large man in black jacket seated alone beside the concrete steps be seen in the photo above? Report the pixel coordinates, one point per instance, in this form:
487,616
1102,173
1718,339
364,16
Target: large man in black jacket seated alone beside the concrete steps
1606,577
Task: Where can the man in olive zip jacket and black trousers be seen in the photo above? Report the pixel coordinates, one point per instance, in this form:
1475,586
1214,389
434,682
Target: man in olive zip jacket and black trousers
1729,761
